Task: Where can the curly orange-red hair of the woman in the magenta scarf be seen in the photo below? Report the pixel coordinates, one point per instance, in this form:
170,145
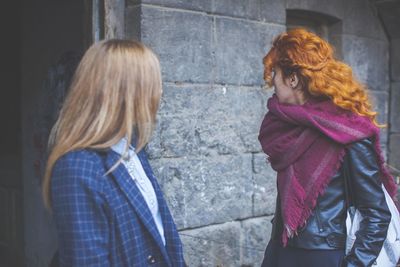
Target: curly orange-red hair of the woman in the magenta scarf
312,59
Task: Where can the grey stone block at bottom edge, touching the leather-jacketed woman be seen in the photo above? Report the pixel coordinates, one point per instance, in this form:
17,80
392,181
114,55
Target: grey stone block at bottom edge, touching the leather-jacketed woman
255,236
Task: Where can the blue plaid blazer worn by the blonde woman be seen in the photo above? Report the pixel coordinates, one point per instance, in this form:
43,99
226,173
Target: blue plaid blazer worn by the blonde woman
103,220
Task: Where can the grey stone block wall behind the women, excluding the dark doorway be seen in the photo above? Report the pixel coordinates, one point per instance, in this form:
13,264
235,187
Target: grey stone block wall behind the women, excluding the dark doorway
205,150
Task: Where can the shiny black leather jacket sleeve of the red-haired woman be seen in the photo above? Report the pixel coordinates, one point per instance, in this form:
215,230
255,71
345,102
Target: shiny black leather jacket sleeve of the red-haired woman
368,197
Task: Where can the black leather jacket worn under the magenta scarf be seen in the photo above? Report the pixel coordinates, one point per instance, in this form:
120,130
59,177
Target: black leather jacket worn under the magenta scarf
326,227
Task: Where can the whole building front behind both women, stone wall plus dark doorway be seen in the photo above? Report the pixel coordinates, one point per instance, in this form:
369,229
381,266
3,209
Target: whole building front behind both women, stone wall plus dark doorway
205,150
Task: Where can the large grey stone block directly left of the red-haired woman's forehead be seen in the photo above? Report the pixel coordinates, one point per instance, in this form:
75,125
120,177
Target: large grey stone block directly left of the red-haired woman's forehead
240,48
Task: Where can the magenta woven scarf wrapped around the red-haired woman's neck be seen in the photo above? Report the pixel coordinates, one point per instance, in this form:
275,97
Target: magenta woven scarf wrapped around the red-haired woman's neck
305,145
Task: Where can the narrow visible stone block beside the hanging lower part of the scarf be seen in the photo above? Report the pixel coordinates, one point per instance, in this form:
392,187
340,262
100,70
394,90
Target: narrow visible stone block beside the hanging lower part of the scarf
264,197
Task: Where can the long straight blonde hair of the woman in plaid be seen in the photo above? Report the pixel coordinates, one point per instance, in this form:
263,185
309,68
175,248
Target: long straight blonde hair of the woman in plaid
115,93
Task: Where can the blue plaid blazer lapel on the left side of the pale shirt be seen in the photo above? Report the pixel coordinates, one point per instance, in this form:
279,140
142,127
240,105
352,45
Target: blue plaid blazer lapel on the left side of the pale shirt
128,186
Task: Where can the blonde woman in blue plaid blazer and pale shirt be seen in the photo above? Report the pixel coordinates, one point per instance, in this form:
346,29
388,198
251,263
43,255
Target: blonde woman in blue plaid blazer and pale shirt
107,204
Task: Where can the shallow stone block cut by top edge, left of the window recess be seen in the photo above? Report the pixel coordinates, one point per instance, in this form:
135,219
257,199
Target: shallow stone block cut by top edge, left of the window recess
266,11
